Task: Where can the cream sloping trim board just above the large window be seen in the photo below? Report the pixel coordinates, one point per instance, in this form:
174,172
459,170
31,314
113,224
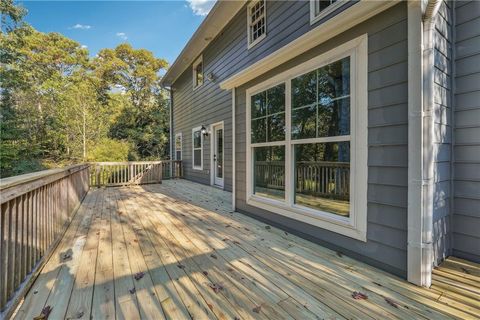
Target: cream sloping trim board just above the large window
345,20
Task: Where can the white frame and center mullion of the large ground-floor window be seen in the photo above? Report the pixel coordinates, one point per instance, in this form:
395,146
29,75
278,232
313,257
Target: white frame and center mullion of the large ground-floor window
354,226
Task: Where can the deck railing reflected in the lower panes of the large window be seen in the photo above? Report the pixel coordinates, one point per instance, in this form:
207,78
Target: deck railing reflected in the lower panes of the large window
322,178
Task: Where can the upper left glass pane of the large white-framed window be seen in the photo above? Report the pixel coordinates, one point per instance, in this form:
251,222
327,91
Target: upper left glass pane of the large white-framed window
268,115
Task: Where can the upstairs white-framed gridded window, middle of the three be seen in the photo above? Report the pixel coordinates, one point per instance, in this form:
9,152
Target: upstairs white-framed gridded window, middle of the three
256,22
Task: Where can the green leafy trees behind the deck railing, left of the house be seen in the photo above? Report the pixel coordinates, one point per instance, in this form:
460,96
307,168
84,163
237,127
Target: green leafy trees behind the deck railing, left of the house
58,105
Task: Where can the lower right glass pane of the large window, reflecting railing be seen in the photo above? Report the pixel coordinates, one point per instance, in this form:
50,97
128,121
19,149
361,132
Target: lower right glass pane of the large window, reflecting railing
322,176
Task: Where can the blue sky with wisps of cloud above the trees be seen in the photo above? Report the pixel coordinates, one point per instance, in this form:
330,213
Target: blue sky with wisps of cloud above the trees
163,27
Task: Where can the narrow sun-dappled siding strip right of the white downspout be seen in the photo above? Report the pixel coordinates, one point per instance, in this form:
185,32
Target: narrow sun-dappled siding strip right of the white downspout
442,139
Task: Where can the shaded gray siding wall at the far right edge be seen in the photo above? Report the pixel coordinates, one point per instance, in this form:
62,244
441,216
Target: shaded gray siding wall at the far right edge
466,213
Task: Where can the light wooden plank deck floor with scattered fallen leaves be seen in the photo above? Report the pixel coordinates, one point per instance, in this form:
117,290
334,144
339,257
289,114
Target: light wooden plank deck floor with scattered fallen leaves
177,251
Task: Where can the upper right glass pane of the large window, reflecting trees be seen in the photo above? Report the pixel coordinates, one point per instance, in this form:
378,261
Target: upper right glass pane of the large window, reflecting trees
321,102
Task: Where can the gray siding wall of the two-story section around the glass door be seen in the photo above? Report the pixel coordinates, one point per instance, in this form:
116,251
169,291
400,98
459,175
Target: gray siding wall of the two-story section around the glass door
226,55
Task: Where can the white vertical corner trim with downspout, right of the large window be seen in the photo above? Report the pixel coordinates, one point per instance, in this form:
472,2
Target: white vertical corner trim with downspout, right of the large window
420,141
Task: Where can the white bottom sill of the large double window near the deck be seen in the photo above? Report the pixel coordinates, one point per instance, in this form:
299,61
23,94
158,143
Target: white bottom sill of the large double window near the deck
326,221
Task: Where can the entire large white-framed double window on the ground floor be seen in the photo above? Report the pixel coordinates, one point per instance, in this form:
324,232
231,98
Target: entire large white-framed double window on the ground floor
306,141
